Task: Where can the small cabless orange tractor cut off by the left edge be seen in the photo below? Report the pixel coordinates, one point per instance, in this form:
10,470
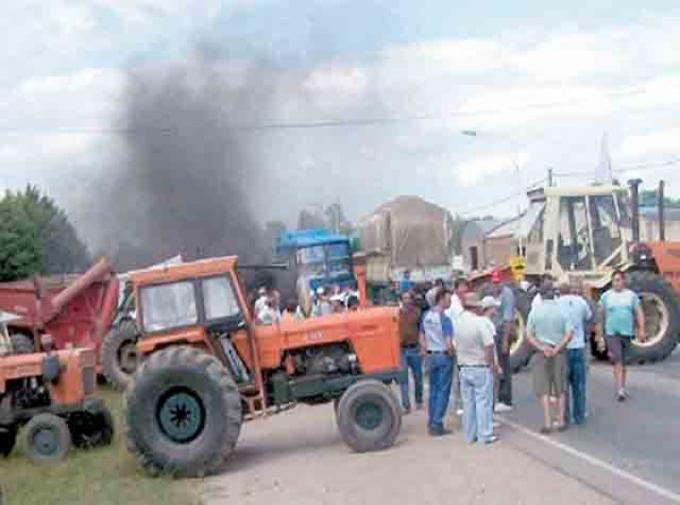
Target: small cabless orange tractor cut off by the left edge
51,394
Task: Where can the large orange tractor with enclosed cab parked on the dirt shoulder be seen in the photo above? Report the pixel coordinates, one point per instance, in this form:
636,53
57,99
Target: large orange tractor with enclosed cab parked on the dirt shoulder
207,367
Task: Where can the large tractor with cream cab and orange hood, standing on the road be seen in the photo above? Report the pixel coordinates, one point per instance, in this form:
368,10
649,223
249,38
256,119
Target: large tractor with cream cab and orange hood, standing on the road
583,235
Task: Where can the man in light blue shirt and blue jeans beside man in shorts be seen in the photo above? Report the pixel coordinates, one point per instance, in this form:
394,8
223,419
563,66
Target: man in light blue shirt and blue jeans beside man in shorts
577,312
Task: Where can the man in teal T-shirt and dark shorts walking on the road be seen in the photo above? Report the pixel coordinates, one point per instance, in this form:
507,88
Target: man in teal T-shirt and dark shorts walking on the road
620,309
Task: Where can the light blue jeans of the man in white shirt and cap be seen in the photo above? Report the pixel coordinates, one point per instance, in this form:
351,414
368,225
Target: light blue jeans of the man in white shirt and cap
476,388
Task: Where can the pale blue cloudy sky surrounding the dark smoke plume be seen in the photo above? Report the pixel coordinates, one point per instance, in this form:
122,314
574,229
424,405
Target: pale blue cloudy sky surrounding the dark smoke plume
373,99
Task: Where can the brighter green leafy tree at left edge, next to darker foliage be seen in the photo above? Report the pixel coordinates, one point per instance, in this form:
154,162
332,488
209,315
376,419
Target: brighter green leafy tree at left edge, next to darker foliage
20,248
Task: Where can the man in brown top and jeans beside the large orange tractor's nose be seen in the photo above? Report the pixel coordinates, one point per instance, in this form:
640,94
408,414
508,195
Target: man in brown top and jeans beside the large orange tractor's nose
409,319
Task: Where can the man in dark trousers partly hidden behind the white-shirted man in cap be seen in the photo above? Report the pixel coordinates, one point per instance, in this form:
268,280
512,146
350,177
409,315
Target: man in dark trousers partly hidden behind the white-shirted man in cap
505,325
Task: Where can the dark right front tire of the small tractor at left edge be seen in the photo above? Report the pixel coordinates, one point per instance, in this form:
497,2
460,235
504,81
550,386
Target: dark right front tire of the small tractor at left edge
92,426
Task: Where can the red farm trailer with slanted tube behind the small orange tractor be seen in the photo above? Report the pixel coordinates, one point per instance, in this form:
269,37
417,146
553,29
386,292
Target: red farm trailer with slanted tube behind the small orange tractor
75,310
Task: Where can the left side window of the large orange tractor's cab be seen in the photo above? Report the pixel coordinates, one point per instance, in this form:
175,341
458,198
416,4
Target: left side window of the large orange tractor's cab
169,306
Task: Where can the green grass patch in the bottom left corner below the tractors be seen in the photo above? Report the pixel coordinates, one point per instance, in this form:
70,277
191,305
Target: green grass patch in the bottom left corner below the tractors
103,475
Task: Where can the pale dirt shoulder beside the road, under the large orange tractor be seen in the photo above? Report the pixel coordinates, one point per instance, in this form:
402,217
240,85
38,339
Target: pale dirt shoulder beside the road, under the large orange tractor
298,457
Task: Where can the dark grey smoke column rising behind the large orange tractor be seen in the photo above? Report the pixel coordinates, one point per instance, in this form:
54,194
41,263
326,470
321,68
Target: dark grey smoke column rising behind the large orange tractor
185,184
